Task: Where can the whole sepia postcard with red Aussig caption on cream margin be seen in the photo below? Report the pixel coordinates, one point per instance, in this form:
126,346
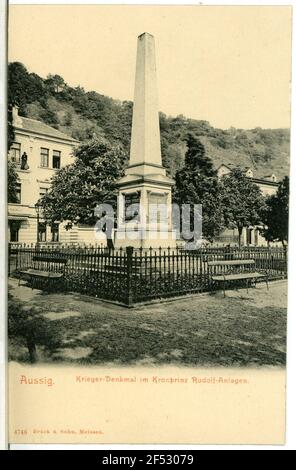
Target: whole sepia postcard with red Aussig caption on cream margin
148,211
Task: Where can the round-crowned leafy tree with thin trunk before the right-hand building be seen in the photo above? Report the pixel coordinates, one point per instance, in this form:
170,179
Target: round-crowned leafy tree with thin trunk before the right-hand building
243,202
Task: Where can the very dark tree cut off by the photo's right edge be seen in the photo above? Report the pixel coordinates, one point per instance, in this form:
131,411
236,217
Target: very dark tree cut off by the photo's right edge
276,215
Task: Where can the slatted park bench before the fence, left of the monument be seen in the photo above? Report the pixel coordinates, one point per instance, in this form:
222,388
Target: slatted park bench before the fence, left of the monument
47,269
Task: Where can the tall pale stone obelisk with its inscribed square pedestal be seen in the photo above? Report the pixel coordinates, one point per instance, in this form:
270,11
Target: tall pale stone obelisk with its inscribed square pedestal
144,199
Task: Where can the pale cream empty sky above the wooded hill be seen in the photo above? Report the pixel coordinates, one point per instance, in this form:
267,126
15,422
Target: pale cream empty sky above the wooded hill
228,65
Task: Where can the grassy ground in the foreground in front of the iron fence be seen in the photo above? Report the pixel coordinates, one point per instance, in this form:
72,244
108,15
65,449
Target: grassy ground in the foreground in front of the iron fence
205,330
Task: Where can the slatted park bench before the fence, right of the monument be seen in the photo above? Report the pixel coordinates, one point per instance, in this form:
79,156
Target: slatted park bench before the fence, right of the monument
235,270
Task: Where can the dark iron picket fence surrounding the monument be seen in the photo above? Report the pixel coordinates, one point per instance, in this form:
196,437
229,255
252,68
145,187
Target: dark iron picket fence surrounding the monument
130,276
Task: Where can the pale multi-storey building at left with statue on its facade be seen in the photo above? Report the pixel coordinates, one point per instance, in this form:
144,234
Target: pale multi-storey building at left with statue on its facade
38,152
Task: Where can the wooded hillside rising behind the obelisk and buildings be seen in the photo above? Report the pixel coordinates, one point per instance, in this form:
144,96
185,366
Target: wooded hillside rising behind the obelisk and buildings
81,114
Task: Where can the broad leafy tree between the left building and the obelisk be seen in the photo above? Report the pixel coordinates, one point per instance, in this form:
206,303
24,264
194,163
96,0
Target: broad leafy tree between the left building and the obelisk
77,188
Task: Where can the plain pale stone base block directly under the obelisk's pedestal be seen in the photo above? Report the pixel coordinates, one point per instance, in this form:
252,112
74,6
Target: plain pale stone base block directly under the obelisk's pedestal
144,239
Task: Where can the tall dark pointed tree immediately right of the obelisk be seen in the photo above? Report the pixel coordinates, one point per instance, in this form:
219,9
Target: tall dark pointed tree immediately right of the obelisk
197,183
